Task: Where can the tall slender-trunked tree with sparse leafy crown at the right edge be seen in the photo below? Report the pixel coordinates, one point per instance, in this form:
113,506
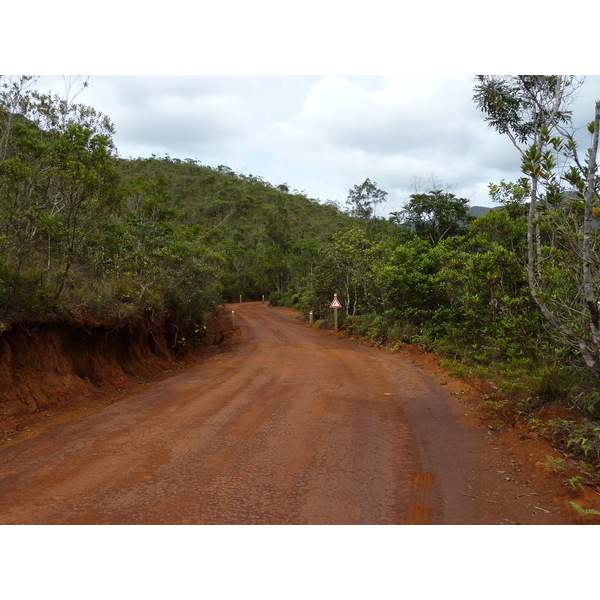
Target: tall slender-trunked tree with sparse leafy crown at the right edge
563,258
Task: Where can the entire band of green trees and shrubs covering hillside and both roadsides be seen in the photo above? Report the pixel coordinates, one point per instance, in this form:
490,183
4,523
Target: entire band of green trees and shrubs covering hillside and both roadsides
510,298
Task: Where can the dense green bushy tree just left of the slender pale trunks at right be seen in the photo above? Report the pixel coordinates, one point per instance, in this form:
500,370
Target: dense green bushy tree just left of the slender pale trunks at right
481,276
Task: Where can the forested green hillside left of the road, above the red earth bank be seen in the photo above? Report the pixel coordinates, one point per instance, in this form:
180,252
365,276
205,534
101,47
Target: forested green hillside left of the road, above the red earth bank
84,232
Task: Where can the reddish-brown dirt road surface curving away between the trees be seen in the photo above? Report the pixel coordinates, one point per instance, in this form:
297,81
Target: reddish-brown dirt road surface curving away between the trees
292,425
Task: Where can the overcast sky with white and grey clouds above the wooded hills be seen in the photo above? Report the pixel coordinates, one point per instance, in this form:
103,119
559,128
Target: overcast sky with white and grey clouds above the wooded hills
320,135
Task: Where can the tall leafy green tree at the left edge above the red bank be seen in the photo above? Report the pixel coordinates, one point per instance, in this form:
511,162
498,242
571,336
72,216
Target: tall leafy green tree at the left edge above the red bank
57,178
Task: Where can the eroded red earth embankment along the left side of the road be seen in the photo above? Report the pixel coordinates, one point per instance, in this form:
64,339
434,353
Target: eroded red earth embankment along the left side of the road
50,366
